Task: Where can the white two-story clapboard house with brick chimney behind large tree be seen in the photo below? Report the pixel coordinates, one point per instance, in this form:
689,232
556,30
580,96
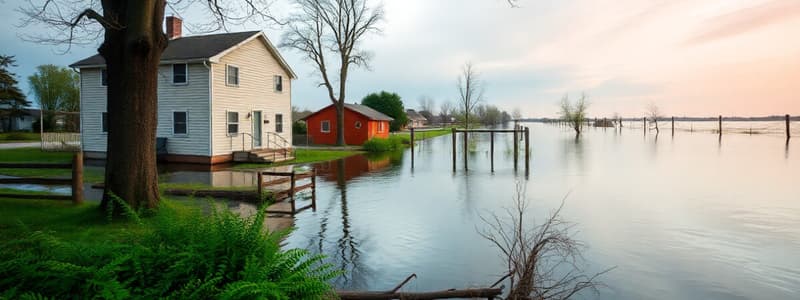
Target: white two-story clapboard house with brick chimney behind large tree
217,94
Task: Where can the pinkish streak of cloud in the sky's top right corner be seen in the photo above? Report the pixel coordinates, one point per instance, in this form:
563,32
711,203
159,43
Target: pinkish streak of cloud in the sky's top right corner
746,20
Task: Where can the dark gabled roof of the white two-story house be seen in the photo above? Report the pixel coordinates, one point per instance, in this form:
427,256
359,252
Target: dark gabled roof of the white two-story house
197,48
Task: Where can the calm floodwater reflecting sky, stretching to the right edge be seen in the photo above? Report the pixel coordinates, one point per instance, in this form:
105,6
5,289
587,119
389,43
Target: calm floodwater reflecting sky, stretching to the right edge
688,216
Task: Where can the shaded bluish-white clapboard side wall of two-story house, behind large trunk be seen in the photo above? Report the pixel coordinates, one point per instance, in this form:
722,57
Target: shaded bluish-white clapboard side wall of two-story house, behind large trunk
191,97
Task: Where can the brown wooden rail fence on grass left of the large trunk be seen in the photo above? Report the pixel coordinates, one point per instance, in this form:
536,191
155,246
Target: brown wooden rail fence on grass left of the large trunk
76,180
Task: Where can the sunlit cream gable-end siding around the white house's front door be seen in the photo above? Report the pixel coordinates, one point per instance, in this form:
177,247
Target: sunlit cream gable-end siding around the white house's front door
257,68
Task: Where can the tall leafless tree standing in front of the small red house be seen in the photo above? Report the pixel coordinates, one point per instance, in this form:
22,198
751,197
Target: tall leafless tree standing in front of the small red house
324,28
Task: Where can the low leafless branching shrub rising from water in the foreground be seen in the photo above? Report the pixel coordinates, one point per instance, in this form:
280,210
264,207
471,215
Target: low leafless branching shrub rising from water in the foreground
543,260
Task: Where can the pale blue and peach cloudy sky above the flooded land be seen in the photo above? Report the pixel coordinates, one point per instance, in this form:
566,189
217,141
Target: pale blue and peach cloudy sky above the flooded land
688,57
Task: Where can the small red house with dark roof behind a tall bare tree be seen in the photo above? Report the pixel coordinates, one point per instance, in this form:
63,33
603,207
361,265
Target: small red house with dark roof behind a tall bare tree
361,123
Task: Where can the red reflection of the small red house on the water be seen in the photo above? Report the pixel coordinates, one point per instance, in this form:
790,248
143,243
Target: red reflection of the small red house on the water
350,167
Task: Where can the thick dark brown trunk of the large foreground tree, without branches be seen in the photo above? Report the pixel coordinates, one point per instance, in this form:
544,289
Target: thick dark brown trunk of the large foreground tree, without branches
132,55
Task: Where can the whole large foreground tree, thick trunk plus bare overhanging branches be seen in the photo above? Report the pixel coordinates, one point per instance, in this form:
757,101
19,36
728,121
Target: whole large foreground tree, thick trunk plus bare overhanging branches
132,43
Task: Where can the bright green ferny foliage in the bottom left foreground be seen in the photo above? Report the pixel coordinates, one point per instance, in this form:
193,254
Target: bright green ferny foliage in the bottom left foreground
180,255
